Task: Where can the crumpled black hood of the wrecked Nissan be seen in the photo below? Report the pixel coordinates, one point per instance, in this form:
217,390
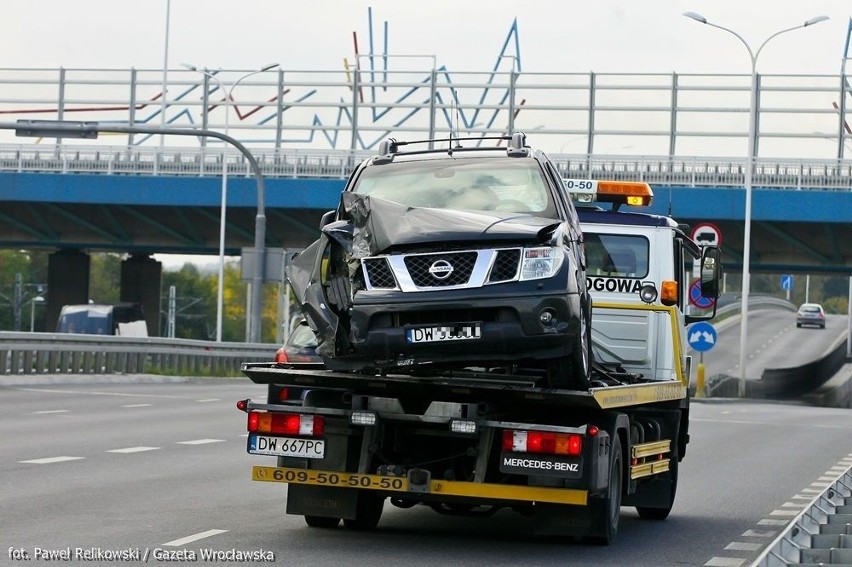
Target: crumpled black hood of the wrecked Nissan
380,224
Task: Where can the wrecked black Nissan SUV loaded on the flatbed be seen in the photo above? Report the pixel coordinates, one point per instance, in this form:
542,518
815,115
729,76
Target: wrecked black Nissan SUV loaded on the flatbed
467,257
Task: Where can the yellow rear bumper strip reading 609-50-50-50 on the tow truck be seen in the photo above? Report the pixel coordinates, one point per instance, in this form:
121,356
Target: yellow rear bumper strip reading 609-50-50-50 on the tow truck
482,490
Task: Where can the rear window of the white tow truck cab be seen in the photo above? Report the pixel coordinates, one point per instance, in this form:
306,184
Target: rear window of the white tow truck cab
616,255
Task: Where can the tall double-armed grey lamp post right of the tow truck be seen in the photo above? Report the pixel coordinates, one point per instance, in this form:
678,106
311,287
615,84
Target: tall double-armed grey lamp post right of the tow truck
752,139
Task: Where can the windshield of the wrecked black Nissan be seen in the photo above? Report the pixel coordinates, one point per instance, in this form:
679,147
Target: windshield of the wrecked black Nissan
502,185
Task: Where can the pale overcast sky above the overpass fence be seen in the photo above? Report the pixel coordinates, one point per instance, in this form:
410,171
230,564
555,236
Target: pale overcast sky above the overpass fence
465,35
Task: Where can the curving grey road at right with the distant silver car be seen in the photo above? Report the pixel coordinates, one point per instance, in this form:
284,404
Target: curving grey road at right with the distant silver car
773,341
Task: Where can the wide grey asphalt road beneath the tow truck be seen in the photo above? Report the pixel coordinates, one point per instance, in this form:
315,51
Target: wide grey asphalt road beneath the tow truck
162,469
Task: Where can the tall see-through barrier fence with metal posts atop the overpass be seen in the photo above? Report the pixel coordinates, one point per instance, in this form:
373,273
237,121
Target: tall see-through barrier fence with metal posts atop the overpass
684,114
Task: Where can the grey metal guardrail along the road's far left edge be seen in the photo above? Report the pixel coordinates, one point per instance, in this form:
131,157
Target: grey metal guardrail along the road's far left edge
60,353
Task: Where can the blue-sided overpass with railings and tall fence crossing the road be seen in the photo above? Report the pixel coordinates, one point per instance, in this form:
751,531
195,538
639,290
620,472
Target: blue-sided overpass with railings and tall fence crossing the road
151,193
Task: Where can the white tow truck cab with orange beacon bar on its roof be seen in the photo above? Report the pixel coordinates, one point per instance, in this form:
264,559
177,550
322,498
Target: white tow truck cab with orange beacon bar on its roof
639,271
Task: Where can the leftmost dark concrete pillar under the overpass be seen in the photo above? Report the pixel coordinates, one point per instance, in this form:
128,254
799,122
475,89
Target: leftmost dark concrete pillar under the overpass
67,282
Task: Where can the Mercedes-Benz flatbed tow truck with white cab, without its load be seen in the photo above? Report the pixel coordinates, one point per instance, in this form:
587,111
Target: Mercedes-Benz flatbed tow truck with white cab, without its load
474,441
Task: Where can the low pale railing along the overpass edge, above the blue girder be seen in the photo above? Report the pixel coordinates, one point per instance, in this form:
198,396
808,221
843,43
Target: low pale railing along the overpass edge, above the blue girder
830,174
